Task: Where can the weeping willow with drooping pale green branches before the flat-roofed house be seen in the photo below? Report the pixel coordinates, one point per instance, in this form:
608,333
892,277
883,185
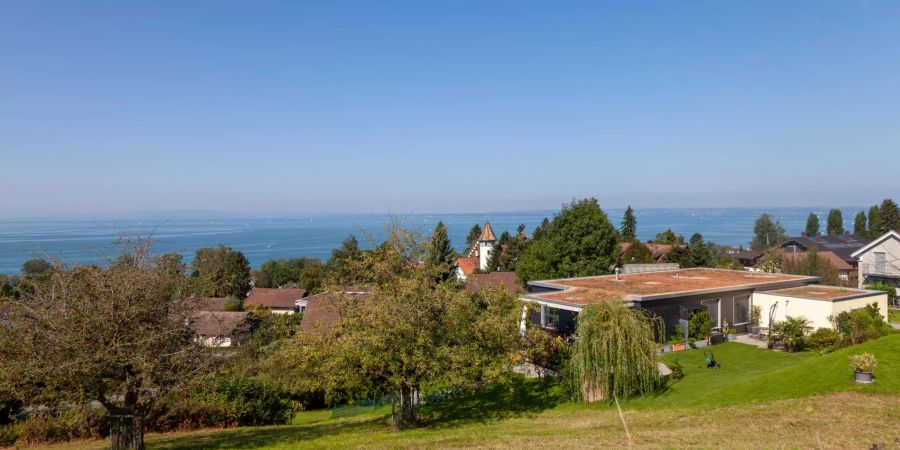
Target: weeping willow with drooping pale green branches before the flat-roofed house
615,353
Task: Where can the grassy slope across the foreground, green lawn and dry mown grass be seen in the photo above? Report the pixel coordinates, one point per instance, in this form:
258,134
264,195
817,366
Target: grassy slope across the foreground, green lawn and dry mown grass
752,401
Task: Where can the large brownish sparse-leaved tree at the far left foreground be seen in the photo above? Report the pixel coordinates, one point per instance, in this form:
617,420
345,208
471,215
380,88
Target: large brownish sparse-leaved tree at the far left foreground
119,336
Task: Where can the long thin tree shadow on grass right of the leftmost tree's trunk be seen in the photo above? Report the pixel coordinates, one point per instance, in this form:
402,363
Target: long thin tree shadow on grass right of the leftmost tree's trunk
267,436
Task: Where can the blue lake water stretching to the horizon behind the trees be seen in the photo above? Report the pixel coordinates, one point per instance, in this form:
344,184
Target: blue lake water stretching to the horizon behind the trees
264,238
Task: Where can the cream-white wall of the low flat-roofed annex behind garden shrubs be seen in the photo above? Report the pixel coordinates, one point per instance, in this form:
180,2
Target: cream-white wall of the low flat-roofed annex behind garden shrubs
817,311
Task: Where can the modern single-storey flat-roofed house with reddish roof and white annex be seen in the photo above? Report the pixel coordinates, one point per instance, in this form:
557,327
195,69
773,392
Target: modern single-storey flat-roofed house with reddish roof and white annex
727,295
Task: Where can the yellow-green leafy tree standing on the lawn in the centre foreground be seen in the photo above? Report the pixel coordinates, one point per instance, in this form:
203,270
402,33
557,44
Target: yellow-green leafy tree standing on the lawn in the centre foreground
408,334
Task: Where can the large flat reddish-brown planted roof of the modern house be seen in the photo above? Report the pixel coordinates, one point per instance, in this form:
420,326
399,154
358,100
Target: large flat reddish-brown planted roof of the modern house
657,285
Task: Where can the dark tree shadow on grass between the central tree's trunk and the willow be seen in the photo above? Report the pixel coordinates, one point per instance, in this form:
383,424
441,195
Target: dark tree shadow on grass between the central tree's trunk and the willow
496,401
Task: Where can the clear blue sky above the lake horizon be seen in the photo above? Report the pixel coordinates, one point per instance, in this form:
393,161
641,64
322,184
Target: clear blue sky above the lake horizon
318,106
